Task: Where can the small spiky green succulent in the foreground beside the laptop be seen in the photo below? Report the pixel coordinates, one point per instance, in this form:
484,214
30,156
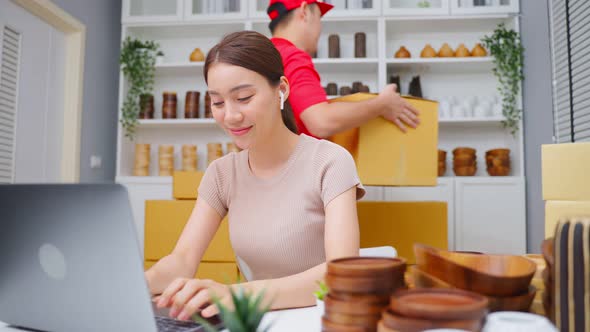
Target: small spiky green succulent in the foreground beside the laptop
246,315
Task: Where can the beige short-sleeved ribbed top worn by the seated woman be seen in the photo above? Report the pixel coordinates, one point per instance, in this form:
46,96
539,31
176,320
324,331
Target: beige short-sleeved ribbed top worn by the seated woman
276,224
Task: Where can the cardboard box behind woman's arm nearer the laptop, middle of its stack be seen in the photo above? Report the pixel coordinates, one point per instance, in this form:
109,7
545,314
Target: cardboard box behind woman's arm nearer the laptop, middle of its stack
164,222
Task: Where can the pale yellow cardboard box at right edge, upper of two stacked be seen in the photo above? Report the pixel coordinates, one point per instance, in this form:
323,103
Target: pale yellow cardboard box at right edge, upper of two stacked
565,171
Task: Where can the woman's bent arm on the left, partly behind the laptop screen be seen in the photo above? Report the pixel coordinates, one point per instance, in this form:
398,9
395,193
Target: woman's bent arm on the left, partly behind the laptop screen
190,248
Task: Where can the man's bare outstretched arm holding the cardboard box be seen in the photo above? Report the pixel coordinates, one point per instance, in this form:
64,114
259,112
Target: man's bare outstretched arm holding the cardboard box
326,119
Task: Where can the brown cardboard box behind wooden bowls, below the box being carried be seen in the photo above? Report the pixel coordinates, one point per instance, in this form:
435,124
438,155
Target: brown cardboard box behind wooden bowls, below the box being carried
401,224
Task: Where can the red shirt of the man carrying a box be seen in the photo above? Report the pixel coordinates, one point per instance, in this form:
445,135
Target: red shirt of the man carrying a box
304,80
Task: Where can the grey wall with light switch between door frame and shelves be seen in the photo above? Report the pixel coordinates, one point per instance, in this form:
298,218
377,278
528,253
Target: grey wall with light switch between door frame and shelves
101,83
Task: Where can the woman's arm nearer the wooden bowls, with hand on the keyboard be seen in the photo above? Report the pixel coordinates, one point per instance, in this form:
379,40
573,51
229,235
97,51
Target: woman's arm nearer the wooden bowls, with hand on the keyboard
186,295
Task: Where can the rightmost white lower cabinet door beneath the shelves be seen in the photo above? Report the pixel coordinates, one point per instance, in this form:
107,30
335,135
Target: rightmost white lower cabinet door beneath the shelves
490,215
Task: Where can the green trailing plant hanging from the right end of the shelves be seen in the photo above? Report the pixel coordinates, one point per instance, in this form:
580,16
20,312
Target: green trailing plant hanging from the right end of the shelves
504,45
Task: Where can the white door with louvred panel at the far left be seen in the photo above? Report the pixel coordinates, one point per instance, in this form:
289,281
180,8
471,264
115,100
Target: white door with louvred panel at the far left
31,97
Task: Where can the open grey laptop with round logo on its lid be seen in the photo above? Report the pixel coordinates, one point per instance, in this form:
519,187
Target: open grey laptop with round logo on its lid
70,261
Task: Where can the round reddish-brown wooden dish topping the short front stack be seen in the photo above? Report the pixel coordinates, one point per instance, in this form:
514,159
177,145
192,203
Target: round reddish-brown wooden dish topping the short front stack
439,304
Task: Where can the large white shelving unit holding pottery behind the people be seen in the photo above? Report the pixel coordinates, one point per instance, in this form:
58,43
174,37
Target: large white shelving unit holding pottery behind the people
477,206
